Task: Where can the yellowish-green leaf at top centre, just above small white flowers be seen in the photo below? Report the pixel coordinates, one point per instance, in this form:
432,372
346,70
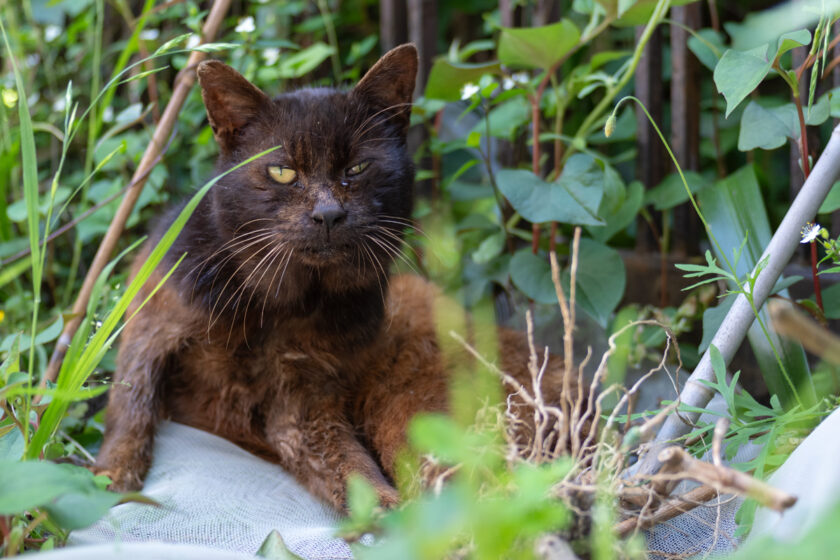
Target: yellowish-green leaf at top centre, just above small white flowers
537,47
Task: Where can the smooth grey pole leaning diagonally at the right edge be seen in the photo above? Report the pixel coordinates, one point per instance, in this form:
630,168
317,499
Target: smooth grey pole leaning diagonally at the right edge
732,331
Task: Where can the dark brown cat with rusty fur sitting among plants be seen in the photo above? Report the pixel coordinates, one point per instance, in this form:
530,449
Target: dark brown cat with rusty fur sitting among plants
281,330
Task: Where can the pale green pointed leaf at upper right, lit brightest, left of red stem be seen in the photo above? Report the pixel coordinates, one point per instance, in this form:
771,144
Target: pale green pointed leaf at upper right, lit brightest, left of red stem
738,73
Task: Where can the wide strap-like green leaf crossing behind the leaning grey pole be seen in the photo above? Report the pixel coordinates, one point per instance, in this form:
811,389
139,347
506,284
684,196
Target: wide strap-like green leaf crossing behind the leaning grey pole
723,205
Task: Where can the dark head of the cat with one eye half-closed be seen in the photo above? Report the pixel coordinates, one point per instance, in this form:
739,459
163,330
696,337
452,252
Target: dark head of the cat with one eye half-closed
338,193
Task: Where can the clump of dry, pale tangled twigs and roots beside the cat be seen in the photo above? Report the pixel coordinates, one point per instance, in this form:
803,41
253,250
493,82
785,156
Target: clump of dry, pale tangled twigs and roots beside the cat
601,450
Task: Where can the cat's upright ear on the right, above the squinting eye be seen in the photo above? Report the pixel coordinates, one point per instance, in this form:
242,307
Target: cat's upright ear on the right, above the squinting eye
390,83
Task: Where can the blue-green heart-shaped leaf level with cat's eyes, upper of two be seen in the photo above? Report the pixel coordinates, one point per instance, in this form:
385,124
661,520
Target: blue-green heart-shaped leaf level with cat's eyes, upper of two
574,198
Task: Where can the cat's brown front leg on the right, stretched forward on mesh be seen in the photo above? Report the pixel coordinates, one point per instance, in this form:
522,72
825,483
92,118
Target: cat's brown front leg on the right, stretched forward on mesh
317,444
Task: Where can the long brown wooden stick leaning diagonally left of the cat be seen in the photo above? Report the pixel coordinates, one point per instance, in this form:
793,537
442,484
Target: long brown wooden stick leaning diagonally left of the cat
183,84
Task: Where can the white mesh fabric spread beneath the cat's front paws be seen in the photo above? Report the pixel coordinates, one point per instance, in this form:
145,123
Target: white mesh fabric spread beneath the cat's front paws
217,495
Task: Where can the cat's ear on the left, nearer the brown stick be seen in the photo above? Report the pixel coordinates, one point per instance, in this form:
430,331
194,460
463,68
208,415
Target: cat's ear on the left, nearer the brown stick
231,100
